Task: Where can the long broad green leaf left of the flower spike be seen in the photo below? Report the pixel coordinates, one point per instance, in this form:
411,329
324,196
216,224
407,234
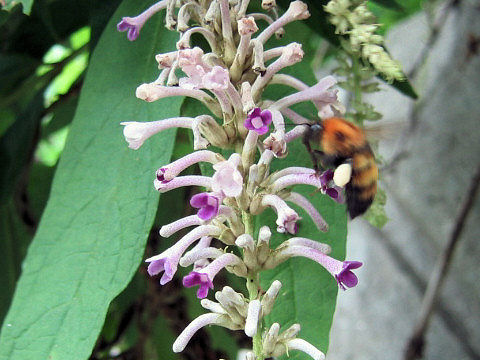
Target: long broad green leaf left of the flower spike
93,231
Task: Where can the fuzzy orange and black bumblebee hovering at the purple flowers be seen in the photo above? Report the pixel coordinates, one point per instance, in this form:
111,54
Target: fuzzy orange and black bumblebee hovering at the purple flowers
337,141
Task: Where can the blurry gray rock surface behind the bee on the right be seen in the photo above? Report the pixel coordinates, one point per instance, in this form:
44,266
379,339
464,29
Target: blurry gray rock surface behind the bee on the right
425,190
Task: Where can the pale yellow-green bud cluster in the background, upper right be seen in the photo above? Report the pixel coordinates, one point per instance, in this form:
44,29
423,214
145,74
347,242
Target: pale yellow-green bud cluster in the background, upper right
352,17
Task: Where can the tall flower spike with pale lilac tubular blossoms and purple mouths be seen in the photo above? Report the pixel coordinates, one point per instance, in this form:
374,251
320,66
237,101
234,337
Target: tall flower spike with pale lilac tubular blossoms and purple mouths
230,78
